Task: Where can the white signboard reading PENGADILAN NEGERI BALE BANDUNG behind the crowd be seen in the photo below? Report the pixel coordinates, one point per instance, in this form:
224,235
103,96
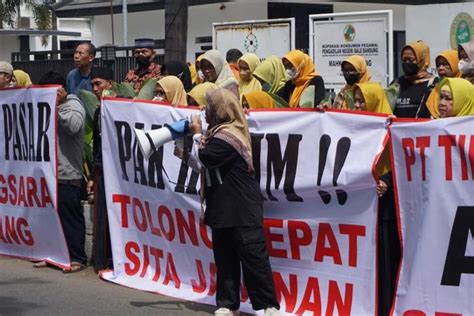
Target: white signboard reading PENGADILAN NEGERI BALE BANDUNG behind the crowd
336,40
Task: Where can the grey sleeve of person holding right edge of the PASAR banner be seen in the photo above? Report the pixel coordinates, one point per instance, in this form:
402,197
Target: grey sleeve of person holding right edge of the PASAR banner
71,116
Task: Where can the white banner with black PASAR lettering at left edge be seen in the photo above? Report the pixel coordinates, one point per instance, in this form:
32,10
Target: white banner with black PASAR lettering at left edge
29,222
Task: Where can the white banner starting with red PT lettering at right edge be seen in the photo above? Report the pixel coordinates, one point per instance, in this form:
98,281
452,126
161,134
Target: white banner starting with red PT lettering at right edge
434,163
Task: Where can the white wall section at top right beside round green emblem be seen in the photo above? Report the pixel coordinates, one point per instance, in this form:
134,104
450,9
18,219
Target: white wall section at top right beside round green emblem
432,24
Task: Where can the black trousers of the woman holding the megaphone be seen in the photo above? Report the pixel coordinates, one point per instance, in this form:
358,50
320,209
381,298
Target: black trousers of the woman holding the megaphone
244,247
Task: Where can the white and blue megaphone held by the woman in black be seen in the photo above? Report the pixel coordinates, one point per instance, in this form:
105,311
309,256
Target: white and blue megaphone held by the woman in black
151,141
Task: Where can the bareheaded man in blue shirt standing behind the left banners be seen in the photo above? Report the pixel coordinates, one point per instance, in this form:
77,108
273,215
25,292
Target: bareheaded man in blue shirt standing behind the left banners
79,77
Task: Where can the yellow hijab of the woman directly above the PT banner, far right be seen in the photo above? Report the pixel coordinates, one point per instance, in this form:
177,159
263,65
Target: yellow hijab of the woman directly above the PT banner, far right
462,92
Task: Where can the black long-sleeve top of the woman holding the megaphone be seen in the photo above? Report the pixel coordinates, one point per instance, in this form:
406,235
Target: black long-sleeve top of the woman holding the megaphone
234,198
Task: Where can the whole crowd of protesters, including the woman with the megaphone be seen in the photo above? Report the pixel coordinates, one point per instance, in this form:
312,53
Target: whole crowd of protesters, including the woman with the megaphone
227,86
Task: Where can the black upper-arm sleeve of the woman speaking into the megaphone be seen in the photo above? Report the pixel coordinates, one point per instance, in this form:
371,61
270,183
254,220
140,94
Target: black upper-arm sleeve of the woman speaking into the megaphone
217,153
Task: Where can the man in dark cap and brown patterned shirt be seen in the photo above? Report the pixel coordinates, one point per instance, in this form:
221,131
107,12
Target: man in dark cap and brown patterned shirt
146,67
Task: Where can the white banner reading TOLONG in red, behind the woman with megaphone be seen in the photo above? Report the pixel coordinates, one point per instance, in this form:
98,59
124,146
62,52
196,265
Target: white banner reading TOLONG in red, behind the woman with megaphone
320,208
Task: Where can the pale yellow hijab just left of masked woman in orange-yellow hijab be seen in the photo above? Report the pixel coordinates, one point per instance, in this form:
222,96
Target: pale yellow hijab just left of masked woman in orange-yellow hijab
272,71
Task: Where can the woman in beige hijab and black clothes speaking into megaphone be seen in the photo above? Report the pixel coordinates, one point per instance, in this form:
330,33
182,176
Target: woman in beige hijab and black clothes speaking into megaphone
234,204
